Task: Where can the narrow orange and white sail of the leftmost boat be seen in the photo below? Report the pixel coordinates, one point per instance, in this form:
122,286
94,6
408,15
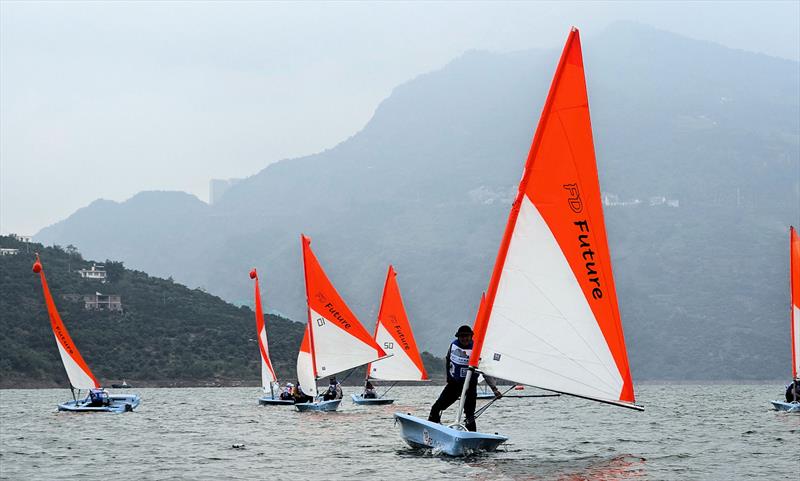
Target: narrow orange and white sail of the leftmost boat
78,372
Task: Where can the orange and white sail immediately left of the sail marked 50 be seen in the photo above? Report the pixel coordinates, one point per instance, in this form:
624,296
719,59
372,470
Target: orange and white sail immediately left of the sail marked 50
337,339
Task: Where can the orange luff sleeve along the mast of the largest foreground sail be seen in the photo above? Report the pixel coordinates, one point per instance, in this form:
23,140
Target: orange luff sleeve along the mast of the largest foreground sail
491,293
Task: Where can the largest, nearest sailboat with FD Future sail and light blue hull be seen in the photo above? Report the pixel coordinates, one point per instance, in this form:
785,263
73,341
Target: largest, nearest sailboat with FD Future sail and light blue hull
551,318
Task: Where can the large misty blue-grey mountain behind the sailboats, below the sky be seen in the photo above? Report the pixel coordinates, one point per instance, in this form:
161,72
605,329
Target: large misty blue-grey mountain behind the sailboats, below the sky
705,138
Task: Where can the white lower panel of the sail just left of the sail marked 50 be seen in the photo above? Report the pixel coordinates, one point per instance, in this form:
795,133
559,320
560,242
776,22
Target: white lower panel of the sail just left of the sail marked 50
336,350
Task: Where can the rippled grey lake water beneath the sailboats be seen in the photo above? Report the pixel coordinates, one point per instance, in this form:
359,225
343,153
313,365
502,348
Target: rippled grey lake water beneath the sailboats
687,432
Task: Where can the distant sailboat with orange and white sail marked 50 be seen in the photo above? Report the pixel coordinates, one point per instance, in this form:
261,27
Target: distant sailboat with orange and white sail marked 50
393,333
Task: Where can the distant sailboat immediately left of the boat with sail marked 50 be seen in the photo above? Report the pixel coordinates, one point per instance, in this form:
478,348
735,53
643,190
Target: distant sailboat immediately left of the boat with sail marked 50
334,339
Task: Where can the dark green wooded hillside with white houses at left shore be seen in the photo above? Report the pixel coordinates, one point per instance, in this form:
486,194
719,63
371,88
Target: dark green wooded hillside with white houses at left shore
167,333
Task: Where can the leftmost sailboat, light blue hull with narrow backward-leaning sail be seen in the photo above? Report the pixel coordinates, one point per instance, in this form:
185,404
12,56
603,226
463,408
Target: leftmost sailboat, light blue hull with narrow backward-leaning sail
78,372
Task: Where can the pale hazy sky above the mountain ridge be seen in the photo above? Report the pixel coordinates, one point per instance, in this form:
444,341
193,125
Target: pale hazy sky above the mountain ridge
103,100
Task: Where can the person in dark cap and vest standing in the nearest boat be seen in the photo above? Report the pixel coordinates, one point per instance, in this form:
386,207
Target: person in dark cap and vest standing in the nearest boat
457,364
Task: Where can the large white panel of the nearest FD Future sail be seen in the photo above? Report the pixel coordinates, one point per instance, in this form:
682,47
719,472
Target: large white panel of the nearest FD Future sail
541,331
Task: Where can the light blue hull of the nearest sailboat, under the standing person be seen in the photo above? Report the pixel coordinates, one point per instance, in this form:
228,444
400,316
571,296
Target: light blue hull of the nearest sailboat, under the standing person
422,434
